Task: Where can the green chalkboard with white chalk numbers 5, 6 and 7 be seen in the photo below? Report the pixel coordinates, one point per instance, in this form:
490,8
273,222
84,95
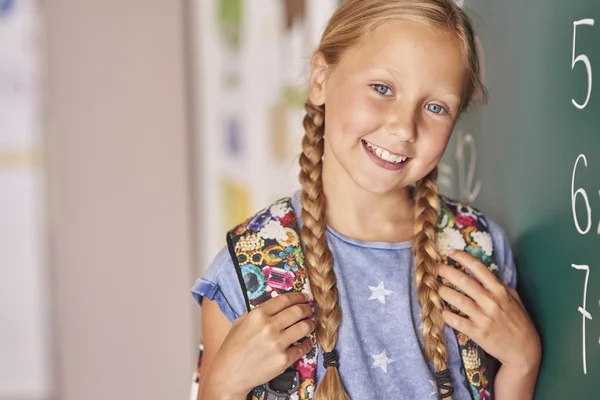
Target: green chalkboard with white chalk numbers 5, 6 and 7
530,160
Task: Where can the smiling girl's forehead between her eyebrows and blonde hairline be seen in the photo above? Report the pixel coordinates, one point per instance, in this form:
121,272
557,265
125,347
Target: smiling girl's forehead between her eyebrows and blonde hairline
411,50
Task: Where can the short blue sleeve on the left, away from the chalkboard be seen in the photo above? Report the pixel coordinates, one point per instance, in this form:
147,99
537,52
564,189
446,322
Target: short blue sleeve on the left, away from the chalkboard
220,283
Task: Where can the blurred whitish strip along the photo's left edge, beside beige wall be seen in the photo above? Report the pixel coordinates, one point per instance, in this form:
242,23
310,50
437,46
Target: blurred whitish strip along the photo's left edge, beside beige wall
24,297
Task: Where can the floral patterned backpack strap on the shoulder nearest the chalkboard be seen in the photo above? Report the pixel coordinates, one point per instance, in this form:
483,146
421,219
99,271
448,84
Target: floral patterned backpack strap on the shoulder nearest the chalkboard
462,227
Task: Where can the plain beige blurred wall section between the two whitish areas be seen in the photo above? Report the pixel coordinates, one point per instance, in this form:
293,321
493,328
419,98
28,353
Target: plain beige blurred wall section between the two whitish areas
120,205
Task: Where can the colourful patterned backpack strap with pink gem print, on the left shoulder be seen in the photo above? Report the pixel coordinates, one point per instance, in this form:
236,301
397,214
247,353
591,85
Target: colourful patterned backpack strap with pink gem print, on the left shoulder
269,261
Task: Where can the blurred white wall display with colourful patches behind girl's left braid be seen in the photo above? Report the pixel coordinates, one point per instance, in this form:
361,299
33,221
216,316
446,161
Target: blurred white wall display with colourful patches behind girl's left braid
252,61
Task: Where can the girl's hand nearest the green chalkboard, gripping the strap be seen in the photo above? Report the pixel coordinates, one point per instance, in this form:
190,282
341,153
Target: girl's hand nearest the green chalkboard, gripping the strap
497,321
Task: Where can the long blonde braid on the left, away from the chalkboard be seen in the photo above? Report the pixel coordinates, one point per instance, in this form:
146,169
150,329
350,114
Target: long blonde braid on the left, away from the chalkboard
319,257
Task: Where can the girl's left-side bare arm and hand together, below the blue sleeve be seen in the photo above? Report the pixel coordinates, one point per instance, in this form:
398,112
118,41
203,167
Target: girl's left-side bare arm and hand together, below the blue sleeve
256,348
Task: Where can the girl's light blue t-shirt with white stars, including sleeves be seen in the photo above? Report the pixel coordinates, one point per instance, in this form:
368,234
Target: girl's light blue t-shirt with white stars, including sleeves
380,341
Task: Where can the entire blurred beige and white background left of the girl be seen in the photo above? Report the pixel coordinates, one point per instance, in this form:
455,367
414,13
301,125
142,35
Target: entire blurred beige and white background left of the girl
132,135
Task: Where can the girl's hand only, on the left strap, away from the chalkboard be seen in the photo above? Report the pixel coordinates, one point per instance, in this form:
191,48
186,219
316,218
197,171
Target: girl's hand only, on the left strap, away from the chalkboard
260,344
